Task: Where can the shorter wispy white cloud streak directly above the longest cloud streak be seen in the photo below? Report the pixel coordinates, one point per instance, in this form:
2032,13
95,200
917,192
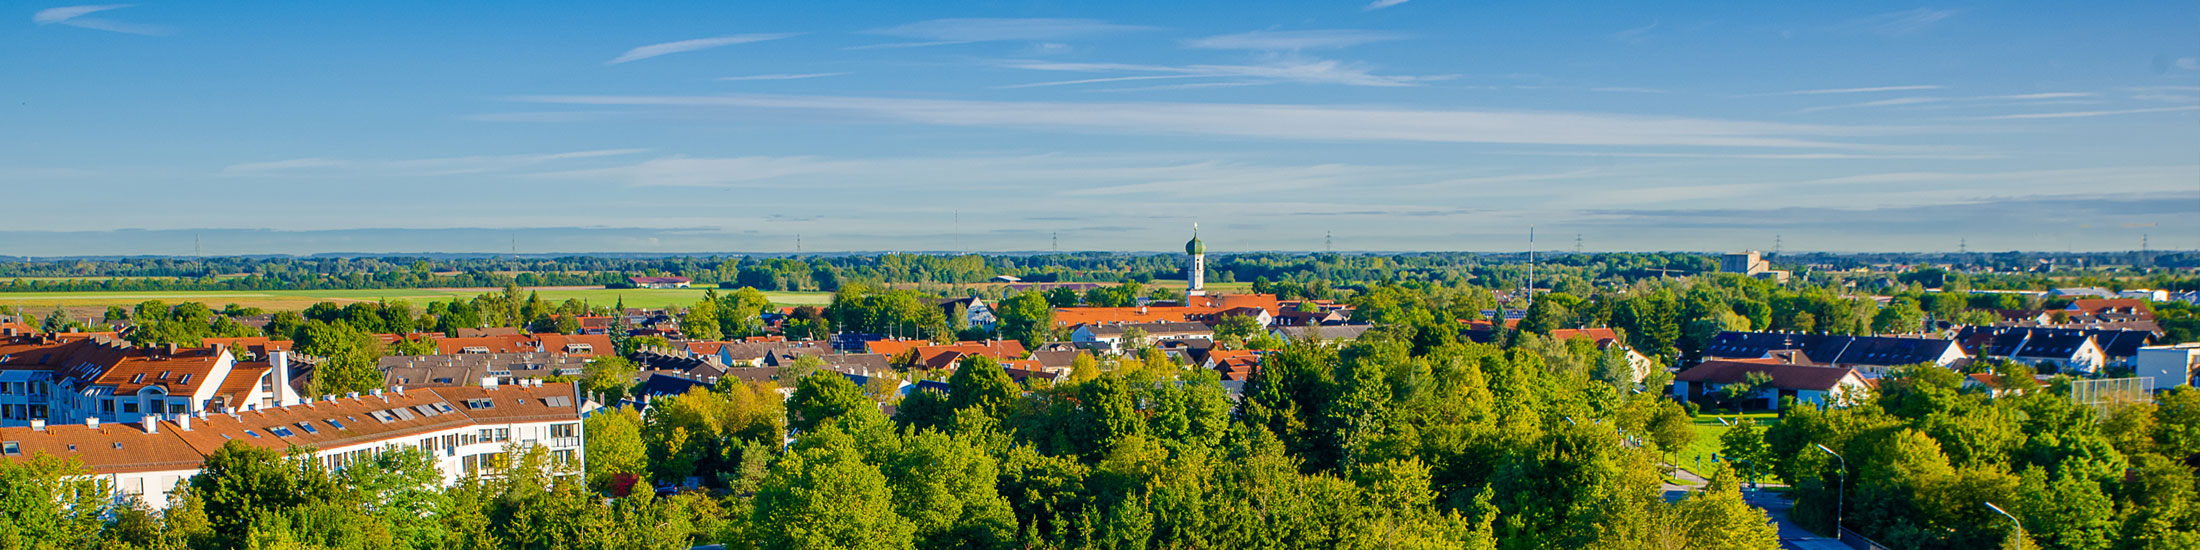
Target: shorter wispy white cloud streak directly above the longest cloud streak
1244,76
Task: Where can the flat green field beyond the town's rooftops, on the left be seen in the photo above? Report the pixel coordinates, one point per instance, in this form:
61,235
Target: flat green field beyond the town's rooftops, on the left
298,300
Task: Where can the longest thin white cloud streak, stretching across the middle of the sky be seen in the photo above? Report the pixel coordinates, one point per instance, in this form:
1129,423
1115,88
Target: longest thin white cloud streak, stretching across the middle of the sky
1284,122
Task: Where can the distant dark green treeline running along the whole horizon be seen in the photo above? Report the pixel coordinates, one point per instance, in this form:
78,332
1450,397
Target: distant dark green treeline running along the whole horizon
833,272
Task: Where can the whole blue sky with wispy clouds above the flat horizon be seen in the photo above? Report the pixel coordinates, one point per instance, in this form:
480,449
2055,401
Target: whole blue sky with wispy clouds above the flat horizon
1116,126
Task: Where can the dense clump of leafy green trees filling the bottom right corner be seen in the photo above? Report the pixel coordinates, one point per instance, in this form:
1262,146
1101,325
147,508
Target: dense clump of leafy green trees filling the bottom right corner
1926,456
